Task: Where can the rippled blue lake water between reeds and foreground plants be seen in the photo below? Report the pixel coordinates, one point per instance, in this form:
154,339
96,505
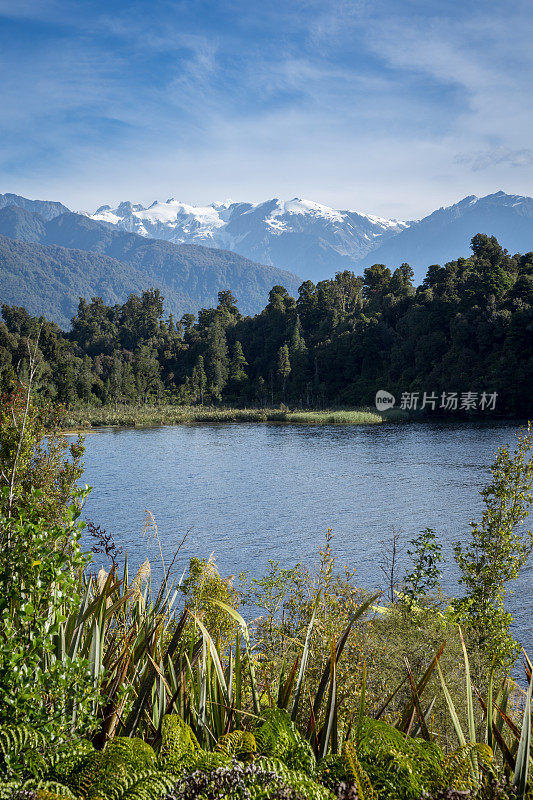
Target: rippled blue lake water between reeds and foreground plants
249,492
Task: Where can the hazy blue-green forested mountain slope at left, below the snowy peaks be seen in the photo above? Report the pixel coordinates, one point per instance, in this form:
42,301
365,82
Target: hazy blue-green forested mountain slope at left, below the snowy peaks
189,276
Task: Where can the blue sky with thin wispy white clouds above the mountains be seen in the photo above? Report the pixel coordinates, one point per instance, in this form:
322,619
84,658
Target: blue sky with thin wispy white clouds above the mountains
392,108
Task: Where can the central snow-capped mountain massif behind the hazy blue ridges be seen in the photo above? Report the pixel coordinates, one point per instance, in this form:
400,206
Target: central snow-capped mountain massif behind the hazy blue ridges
310,238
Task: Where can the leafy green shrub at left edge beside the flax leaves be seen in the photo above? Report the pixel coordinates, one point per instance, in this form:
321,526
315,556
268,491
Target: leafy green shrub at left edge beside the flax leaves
40,566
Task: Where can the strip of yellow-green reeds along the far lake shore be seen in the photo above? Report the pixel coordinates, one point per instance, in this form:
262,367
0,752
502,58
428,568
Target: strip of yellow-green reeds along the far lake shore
154,416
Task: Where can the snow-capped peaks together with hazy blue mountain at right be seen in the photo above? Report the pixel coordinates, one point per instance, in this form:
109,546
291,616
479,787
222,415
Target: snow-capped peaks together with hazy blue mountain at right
316,241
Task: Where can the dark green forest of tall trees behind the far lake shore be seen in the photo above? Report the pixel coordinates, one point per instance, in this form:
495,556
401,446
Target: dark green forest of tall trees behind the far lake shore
467,328
